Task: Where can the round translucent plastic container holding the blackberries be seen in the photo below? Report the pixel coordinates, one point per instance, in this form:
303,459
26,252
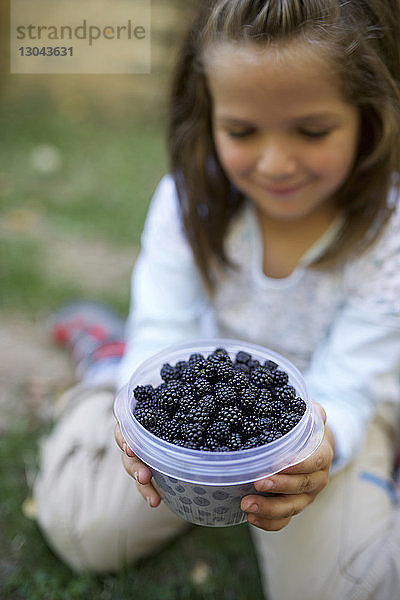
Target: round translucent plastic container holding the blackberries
206,488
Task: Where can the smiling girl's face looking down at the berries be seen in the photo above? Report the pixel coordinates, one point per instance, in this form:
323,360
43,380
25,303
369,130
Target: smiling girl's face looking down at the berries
284,134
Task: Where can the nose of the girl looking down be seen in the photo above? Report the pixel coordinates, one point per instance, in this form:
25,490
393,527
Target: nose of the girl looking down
276,160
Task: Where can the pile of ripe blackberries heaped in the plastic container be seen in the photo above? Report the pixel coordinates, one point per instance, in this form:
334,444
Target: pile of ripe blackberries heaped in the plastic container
218,404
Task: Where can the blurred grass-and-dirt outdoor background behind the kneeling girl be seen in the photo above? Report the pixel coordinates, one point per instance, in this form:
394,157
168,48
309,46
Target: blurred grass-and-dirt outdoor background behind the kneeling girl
80,157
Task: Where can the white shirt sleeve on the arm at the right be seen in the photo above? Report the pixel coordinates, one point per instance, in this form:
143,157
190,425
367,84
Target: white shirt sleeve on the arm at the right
358,365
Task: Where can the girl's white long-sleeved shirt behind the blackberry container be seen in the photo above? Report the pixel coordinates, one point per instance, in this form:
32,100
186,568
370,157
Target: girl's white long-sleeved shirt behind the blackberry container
340,327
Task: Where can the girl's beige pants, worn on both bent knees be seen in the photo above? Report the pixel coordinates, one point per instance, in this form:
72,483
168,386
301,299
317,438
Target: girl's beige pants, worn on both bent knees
345,546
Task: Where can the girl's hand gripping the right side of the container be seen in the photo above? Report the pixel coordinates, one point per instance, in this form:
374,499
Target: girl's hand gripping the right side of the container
299,486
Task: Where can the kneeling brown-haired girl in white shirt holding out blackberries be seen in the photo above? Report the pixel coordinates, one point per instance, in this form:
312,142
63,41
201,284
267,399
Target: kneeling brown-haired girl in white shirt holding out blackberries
279,224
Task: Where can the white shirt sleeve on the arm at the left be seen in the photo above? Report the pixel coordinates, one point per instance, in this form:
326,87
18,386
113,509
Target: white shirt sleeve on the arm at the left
168,300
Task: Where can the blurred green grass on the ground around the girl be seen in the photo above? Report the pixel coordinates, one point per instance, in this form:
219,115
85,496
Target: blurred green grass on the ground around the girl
100,189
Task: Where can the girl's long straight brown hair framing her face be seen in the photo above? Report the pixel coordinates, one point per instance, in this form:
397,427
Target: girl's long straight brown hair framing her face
361,39
